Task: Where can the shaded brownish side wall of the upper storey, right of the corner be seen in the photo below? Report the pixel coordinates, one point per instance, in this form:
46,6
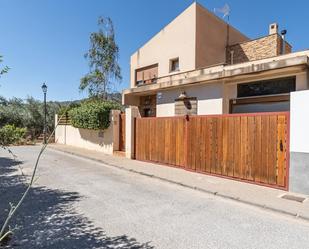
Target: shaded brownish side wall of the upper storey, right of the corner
211,38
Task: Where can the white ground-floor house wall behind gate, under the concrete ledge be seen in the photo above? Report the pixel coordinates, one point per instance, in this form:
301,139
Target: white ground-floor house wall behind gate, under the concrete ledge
209,100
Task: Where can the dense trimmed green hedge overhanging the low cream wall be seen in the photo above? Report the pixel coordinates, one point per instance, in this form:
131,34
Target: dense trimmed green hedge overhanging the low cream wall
93,115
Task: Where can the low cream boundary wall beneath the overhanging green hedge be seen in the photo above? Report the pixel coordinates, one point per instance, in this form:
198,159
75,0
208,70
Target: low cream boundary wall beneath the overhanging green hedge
88,139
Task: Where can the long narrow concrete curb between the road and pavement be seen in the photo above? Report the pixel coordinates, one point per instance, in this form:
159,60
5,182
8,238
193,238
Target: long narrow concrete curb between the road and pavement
230,197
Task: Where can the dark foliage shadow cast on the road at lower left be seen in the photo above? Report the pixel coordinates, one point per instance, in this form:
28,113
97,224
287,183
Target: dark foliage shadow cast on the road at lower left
47,220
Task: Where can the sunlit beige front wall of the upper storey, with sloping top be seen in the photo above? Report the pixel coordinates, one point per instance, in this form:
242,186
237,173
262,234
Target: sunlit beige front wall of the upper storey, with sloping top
177,39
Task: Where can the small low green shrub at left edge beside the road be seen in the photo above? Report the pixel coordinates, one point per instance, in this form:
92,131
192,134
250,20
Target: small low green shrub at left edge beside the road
9,134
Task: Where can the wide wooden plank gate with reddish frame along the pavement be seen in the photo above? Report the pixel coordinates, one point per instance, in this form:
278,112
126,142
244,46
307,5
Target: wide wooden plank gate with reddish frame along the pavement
251,147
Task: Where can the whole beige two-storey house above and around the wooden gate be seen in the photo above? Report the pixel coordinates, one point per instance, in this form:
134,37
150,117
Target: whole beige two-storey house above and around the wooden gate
200,65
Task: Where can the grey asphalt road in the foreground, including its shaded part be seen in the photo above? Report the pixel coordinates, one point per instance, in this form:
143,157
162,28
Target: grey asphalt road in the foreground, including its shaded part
78,203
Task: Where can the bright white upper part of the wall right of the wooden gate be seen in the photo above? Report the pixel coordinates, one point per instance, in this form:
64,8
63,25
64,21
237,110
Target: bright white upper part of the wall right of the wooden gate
299,121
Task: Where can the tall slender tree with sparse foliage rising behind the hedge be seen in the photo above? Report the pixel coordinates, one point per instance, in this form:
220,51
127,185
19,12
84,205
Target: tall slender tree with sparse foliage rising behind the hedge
103,61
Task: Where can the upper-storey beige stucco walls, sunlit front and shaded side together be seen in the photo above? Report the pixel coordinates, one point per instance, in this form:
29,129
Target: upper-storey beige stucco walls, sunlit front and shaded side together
197,37
